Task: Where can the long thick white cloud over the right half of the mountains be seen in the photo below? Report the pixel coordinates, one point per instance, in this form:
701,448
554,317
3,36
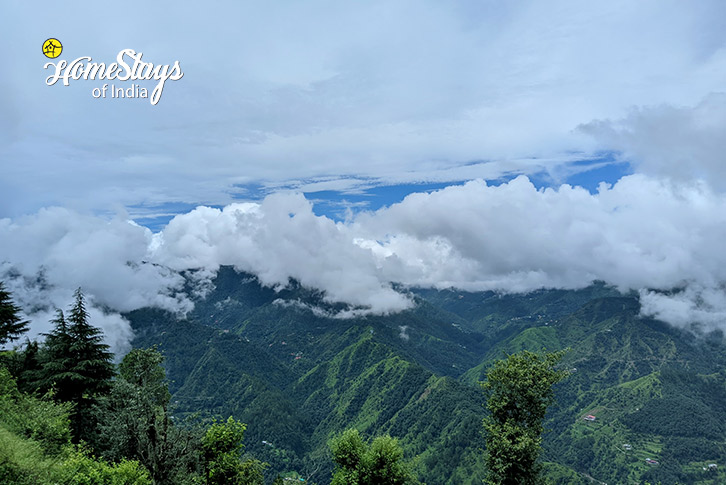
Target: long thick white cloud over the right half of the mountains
642,232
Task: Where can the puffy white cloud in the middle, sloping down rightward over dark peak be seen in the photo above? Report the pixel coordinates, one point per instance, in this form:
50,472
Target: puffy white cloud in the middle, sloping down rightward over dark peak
280,238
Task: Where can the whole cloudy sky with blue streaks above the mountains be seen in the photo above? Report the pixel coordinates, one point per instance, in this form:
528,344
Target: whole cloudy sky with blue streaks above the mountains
478,145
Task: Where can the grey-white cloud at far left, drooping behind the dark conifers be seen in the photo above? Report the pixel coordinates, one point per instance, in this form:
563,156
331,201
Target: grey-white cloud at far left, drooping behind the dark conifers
47,255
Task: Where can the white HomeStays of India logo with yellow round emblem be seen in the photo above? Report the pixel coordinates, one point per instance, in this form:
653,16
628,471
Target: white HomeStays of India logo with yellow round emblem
128,66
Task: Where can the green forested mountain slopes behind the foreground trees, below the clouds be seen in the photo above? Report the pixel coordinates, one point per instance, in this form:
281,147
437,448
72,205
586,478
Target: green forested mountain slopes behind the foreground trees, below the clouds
279,362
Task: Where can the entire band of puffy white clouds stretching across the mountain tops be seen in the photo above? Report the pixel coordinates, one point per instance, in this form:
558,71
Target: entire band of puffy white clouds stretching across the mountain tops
643,233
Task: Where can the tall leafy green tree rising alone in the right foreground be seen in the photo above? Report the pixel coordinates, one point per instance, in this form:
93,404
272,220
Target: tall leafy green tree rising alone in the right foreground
519,392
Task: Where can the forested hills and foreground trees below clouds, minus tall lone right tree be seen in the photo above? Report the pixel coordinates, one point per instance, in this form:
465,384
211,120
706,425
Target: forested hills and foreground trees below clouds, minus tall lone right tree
269,386
